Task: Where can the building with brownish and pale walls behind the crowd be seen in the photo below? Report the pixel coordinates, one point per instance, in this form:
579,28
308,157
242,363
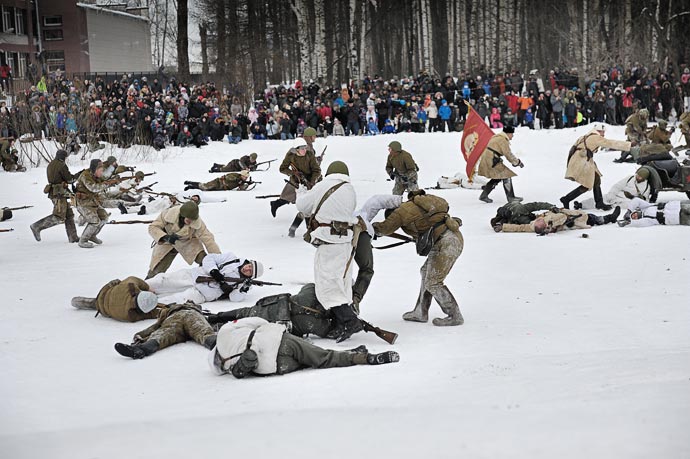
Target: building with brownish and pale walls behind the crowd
42,36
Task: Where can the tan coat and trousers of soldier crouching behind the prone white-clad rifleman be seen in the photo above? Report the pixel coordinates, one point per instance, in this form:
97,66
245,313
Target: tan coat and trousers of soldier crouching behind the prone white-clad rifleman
193,239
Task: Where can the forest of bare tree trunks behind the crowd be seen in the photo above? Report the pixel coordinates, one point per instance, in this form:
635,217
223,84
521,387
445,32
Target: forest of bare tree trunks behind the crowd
332,41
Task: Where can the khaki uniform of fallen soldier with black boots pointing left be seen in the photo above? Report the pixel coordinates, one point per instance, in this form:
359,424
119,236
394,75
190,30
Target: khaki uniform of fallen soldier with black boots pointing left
176,324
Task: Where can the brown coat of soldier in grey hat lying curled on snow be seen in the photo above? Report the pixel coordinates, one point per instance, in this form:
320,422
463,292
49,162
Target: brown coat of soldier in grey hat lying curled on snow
118,300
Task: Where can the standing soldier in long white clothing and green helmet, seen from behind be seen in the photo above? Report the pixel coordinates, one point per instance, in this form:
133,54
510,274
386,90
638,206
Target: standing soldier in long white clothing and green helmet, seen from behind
331,205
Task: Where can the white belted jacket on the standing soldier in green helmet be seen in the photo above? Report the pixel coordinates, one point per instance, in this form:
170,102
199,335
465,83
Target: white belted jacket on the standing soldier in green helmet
338,207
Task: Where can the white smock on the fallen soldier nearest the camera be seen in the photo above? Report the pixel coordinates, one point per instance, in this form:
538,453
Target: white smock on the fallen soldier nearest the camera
232,341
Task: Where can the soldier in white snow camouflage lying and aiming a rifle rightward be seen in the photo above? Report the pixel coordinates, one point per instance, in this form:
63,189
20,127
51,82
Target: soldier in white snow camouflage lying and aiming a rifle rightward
181,286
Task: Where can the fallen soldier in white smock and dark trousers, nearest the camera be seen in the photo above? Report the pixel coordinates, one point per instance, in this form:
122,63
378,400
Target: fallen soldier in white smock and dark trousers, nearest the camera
254,345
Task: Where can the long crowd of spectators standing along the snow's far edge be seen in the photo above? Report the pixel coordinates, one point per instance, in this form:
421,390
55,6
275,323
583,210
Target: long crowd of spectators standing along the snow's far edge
159,113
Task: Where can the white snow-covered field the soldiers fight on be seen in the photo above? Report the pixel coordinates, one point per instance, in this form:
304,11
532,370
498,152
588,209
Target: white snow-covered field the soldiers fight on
571,347
